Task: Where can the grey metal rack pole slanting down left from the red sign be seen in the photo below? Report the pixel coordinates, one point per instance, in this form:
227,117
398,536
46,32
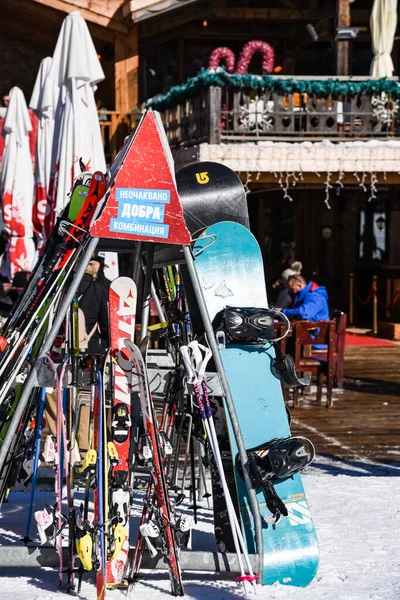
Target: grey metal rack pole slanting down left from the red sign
57,323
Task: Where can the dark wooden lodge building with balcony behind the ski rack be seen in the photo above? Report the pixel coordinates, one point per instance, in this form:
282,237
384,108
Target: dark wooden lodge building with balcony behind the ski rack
317,146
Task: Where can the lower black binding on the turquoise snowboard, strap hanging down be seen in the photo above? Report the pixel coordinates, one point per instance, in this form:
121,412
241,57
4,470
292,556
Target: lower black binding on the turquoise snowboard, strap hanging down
274,462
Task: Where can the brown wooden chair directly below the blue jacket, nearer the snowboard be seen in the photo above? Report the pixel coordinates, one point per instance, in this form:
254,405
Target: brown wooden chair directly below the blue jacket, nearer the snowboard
306,334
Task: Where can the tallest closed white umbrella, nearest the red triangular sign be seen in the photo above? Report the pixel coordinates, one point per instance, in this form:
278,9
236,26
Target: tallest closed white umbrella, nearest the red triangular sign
75,72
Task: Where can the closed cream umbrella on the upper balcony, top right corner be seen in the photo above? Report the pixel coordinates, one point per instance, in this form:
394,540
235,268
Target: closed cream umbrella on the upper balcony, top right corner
383,22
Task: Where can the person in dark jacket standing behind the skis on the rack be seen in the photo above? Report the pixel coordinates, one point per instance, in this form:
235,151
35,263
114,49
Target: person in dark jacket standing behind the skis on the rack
93,301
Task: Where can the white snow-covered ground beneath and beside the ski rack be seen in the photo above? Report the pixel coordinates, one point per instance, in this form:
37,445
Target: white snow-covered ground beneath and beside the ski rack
356,509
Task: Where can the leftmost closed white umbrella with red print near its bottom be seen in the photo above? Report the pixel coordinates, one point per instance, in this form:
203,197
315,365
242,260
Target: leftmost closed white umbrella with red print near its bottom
17,188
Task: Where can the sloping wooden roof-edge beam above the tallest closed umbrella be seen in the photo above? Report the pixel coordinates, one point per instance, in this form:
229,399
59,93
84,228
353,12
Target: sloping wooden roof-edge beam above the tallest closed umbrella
91,13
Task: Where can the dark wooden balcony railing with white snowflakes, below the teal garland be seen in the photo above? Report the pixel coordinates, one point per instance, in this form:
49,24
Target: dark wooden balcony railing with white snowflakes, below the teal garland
223,114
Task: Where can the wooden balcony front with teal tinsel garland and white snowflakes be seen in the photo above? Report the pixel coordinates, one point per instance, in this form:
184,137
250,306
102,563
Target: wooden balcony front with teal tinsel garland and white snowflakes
279,109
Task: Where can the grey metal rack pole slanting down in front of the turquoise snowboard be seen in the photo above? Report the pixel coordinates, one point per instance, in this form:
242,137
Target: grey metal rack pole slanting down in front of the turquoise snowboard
229,401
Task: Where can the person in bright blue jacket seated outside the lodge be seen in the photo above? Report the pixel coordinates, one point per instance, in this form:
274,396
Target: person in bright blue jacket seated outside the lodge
311,300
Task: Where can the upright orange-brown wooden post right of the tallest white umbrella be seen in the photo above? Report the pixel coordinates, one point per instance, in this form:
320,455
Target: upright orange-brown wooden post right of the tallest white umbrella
126,71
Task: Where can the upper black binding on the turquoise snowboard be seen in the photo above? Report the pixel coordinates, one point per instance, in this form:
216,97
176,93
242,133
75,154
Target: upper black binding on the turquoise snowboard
249,325
